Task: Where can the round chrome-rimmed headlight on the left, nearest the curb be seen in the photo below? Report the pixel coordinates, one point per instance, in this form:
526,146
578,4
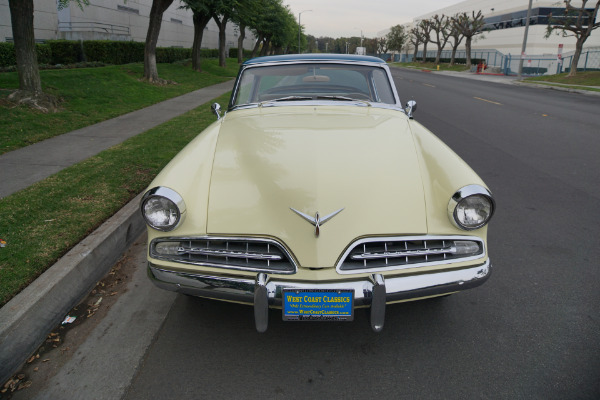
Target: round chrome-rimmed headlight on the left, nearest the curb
162,208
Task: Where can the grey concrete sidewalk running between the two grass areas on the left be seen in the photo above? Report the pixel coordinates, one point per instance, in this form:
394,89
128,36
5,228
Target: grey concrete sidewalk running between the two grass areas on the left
24,167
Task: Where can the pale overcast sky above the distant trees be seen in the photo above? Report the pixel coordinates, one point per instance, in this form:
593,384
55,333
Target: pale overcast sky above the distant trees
346,18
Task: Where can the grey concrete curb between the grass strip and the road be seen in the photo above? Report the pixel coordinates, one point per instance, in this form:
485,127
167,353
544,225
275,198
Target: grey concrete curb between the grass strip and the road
27,319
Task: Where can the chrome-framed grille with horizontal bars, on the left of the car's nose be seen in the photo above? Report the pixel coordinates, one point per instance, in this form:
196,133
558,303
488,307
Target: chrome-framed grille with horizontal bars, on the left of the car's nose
259,255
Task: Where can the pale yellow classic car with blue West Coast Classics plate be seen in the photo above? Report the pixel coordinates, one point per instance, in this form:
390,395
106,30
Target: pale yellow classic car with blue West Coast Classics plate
317,193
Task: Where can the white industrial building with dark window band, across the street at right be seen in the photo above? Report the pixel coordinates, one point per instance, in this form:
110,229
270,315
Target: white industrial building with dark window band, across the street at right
500,45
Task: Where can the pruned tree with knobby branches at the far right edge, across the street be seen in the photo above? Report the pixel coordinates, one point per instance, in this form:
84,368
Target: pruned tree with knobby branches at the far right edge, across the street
578,22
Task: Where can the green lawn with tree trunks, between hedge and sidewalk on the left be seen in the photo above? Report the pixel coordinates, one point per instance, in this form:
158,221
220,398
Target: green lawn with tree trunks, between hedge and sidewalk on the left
92,95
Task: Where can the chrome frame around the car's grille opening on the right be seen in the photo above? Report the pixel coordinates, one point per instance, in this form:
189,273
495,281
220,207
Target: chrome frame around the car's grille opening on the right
408,266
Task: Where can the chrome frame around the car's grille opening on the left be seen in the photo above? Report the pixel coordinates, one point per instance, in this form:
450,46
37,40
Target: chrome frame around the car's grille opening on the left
279,245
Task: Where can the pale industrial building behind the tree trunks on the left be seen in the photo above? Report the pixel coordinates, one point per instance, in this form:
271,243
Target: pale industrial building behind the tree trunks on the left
117,20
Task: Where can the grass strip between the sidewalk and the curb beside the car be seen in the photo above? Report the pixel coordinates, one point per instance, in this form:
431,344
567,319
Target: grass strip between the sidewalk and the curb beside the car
43,222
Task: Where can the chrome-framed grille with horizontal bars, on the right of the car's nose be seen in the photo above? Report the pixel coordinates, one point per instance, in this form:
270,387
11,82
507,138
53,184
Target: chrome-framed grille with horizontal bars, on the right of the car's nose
409,252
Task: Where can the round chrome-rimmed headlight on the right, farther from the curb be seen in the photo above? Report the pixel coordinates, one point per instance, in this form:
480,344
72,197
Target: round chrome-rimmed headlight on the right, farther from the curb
471,207
